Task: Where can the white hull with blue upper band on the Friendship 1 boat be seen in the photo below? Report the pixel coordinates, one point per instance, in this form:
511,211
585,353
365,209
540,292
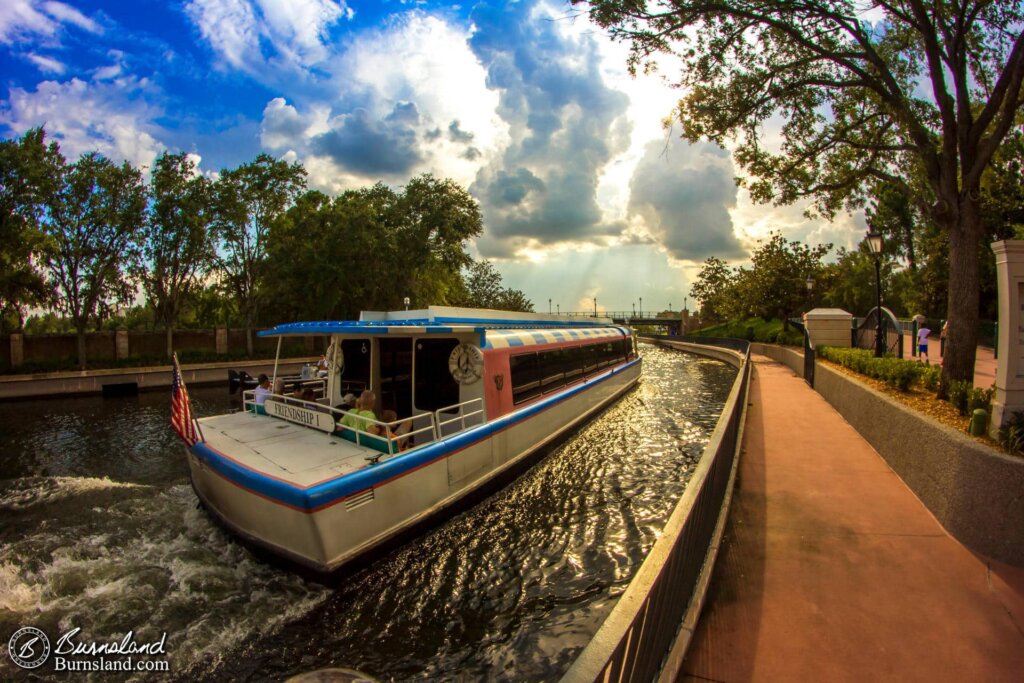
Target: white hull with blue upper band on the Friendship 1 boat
329,524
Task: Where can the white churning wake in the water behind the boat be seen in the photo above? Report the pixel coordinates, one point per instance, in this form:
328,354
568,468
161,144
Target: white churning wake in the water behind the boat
116,558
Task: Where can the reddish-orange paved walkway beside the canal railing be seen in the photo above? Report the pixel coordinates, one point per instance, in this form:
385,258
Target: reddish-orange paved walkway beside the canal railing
833,571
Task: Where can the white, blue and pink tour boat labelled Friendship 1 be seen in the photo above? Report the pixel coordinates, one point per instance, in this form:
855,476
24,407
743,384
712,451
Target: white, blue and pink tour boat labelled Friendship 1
476,393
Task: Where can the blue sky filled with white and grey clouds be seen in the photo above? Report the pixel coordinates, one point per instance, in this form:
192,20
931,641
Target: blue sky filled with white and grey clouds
585,194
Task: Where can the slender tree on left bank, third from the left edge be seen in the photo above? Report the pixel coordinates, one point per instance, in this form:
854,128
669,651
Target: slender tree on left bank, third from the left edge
177,241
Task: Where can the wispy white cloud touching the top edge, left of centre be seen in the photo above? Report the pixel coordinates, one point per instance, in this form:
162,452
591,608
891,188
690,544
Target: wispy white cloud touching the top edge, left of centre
254,35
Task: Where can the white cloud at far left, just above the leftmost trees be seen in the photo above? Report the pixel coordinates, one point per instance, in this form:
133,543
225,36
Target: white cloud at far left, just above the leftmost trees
110,118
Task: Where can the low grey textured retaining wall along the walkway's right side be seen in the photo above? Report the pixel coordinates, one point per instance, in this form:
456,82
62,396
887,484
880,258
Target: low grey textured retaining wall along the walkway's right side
975,492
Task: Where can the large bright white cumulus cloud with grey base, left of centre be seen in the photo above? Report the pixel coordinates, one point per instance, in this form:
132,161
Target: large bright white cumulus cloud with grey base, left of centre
408,99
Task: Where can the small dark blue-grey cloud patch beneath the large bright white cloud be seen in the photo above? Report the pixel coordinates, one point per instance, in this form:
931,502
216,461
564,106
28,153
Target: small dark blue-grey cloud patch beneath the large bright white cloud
360,144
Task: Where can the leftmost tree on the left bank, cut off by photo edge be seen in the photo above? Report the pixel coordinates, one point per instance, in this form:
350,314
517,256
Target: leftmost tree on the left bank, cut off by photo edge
28,168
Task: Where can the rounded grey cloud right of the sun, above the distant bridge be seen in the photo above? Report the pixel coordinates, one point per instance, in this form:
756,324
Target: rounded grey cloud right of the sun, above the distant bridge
685,195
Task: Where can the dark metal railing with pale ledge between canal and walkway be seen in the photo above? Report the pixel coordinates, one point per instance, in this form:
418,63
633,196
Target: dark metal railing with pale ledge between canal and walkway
650,628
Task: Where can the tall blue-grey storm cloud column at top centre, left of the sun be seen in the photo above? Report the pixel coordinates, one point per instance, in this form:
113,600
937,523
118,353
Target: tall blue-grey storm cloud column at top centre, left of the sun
562,116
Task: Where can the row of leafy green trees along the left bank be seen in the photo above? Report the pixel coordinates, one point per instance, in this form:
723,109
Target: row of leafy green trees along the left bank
250,248
